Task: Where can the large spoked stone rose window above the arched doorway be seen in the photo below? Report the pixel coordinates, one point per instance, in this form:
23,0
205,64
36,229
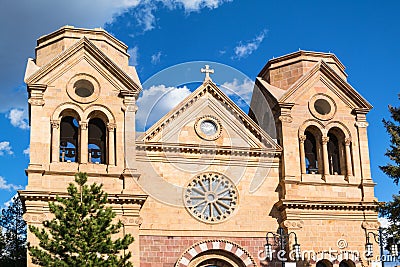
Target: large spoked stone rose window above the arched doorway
211,197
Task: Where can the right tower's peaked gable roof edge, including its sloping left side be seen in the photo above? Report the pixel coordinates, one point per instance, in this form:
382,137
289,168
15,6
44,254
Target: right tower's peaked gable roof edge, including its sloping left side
345,88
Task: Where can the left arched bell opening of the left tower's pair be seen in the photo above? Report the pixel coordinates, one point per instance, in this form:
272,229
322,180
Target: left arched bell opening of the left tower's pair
69,139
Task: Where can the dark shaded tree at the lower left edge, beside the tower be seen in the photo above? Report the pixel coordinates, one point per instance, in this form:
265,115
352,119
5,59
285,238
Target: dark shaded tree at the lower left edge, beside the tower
14,234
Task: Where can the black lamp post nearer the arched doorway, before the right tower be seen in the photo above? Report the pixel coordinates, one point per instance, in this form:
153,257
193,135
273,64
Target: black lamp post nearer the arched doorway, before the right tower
282,239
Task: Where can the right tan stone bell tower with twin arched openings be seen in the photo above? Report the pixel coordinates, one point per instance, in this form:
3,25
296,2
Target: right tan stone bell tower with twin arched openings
325,180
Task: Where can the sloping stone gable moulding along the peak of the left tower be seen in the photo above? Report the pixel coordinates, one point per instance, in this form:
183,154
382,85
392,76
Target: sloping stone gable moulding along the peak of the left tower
133,86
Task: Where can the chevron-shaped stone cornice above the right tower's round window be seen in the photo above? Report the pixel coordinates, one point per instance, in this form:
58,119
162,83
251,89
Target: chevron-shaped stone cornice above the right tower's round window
323,72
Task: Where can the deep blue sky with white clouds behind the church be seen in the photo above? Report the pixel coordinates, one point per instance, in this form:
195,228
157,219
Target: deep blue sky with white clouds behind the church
243,34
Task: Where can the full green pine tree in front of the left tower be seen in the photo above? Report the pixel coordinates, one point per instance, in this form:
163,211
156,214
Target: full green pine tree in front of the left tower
81,232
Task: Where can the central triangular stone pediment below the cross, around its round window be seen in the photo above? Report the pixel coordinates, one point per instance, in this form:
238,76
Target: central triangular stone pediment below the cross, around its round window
209,101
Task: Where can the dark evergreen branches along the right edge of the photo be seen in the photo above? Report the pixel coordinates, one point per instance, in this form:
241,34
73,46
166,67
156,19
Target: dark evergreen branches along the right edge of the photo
391,209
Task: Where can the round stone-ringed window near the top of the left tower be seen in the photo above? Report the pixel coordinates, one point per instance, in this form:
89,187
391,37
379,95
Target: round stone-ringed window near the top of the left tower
83,88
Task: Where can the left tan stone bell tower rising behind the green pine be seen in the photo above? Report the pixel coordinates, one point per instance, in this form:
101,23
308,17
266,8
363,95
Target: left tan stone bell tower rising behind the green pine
82,96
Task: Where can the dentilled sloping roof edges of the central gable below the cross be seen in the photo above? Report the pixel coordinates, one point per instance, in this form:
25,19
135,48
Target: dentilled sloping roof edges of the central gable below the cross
210,87
